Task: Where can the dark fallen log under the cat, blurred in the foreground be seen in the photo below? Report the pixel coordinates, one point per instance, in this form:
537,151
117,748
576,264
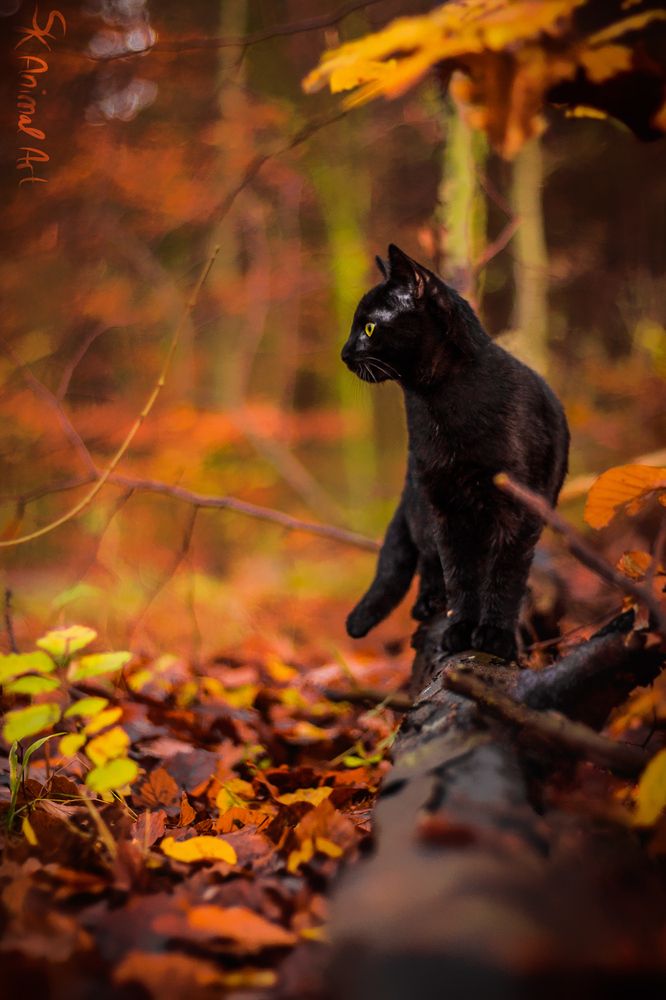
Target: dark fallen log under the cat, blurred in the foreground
476,888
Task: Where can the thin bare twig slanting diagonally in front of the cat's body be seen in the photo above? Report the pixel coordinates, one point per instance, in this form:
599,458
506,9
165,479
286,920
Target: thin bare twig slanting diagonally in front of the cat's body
581,550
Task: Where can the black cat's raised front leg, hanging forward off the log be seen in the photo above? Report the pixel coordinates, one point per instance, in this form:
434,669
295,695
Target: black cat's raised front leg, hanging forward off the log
395,568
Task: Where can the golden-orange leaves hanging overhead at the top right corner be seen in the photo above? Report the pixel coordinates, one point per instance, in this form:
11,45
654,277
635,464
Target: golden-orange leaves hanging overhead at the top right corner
511,52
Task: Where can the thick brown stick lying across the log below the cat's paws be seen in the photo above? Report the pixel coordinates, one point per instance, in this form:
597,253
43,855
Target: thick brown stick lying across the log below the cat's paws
549,730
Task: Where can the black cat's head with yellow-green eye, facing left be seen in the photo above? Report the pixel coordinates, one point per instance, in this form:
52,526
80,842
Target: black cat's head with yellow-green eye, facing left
399,327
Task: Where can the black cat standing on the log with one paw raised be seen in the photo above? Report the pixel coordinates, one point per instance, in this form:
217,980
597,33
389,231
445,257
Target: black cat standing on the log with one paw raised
472,411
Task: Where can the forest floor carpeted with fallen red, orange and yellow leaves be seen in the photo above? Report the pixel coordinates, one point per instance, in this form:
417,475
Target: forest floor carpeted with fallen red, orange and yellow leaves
252,784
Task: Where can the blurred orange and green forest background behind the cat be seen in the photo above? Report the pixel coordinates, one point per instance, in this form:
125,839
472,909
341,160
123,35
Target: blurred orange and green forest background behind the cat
155,158
